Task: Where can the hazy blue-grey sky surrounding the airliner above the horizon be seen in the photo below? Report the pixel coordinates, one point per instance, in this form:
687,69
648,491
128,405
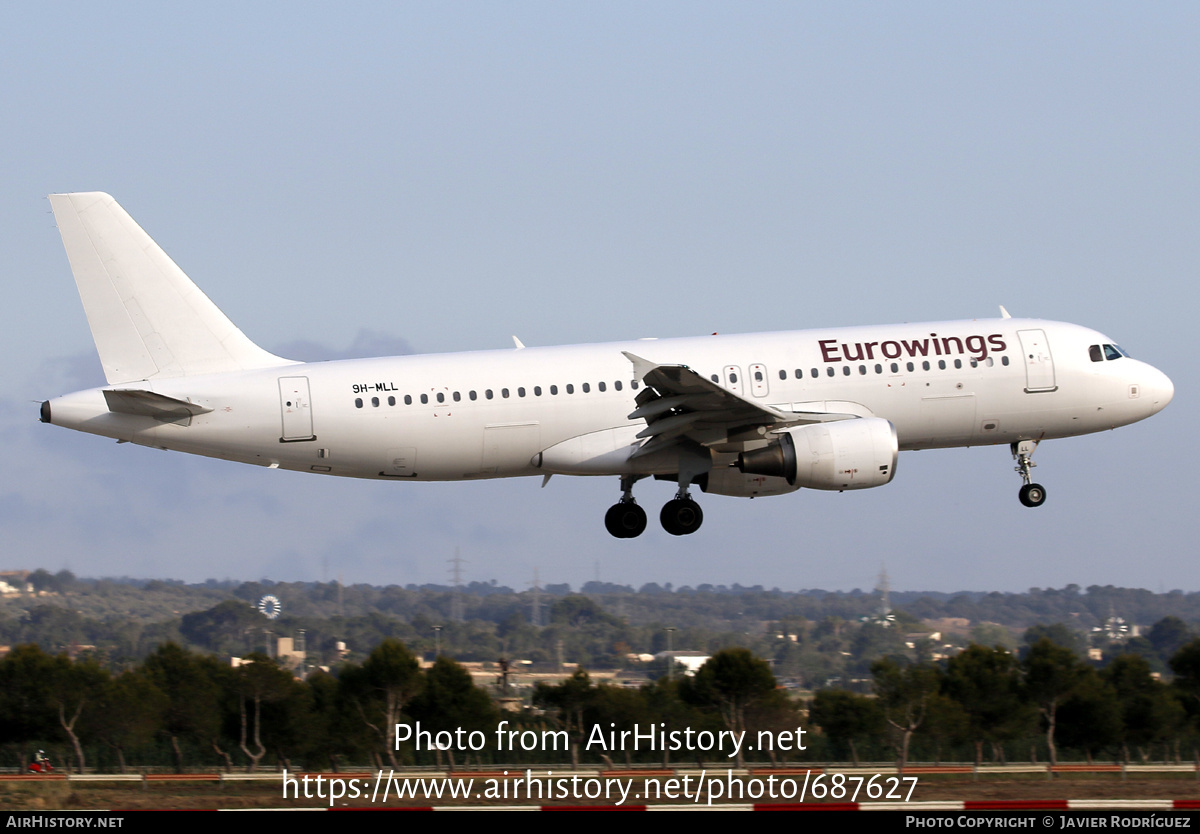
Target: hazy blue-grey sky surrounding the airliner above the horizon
441,177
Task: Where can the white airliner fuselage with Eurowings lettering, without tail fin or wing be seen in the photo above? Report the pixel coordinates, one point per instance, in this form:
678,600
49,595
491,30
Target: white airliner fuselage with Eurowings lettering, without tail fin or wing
491,415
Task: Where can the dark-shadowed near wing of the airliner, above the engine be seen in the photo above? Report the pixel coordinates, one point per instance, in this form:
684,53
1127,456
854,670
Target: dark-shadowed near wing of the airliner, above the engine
679,404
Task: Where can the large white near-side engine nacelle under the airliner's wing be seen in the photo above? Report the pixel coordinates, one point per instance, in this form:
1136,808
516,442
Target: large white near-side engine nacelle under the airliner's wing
843,455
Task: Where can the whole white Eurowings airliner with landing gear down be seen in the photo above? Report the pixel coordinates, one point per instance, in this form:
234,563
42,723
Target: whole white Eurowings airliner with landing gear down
736,416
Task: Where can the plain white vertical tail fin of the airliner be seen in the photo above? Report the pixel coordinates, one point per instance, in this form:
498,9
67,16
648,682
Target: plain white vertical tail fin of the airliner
147,317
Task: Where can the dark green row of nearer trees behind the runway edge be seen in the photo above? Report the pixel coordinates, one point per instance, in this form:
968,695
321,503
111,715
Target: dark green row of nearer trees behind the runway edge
187,710
